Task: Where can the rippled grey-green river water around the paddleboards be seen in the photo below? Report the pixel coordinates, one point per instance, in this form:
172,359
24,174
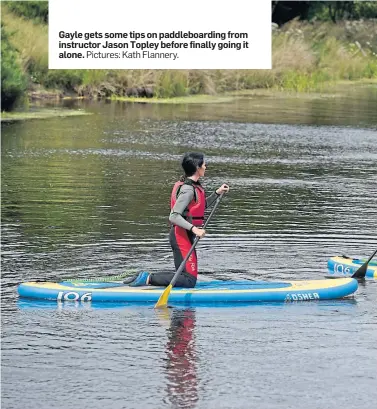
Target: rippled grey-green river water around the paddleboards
89,196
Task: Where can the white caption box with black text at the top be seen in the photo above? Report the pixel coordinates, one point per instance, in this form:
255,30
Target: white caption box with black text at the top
160,34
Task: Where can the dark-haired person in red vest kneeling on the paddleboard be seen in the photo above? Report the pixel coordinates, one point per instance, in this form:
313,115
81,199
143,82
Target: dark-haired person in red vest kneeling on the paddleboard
188,203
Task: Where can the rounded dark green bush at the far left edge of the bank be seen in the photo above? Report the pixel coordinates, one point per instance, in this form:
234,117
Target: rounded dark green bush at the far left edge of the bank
13,81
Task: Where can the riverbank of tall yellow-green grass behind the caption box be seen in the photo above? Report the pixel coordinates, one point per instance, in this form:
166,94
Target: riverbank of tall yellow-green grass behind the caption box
307,56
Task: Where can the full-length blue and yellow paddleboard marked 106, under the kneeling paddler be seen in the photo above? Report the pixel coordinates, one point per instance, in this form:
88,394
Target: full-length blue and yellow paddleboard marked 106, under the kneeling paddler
205,293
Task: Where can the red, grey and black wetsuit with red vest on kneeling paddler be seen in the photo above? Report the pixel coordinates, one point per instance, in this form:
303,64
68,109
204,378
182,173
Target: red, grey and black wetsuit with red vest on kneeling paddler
188,203
